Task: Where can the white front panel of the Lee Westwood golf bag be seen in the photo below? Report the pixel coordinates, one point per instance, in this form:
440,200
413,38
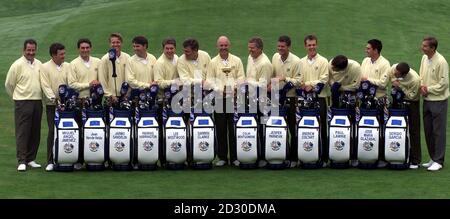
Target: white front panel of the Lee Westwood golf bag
176,140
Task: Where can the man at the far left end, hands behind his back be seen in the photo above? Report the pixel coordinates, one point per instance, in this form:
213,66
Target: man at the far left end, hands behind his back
22,85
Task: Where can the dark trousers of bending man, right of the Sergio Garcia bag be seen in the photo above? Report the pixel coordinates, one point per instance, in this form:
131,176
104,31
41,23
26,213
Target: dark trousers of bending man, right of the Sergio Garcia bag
415,156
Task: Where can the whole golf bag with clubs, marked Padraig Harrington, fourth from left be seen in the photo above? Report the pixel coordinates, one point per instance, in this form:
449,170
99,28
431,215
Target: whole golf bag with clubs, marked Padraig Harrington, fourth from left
147,138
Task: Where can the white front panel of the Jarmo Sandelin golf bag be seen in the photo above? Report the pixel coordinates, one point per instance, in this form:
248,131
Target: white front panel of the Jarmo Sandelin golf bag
120,141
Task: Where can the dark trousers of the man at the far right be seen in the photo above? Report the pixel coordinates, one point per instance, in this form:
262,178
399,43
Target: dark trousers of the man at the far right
435,124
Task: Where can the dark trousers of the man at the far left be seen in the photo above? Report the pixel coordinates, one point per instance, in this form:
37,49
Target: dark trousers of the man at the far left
27,116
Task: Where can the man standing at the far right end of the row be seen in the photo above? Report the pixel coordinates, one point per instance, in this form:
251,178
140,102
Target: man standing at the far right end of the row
434,89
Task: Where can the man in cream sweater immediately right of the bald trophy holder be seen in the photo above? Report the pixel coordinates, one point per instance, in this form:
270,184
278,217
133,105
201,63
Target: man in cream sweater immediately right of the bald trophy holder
259,72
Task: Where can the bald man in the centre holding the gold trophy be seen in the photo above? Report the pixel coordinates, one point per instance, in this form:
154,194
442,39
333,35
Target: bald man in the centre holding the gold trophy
224,71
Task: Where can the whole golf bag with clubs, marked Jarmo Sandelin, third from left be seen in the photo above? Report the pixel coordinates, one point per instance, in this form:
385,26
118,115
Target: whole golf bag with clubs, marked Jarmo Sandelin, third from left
120,132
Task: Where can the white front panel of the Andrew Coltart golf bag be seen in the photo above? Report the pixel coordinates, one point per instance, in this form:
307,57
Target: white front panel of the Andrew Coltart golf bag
308,139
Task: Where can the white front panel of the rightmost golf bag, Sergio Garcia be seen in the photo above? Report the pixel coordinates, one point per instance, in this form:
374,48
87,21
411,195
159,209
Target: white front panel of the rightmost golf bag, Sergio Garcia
396,140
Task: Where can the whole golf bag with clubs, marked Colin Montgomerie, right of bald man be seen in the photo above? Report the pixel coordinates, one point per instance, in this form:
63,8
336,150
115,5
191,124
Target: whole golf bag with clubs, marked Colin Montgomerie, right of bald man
246,127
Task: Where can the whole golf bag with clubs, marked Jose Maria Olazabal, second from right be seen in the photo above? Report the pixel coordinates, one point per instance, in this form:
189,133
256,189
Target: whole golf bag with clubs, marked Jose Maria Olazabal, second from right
367,126
